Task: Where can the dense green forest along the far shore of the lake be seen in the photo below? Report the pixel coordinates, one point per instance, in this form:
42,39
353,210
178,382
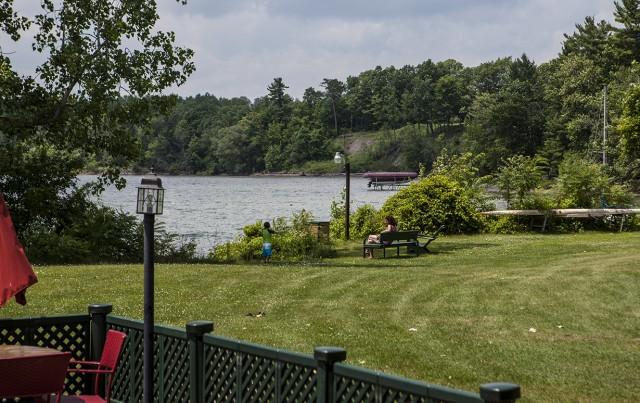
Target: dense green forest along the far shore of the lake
398,118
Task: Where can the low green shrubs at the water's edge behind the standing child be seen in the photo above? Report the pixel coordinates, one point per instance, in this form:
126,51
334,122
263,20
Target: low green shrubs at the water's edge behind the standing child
292,241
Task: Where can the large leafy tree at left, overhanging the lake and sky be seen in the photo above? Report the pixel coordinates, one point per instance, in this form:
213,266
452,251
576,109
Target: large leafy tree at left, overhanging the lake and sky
71,108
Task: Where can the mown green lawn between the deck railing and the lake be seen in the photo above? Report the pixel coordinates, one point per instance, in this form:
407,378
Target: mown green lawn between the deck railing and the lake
474,304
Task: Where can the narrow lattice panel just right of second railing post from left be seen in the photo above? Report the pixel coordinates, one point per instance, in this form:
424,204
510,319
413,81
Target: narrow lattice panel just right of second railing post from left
220,374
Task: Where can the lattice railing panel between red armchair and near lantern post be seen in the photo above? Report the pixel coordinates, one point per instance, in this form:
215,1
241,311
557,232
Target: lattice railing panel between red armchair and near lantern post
127,382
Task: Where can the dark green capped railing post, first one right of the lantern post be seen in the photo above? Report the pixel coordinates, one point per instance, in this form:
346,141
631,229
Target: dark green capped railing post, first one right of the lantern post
195,331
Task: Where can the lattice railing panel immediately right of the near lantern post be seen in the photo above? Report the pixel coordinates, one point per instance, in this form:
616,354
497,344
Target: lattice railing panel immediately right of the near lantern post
171,368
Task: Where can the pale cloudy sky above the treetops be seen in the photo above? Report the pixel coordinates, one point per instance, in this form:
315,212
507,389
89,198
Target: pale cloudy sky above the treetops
242,45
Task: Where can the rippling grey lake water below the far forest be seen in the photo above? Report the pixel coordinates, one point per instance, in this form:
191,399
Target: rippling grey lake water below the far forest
213,209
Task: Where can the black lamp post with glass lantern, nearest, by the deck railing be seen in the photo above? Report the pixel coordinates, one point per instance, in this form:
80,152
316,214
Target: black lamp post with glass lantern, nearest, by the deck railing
150,203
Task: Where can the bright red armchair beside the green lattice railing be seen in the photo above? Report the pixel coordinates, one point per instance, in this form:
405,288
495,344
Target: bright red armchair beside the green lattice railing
106,366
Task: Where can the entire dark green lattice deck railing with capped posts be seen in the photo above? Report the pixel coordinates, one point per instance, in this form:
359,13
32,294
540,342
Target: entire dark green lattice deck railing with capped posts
191,365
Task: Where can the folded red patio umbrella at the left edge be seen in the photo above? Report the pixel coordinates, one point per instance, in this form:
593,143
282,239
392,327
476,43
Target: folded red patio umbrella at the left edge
16,273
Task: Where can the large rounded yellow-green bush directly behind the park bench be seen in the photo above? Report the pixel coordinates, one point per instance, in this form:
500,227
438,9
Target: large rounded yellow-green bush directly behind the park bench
428,203
